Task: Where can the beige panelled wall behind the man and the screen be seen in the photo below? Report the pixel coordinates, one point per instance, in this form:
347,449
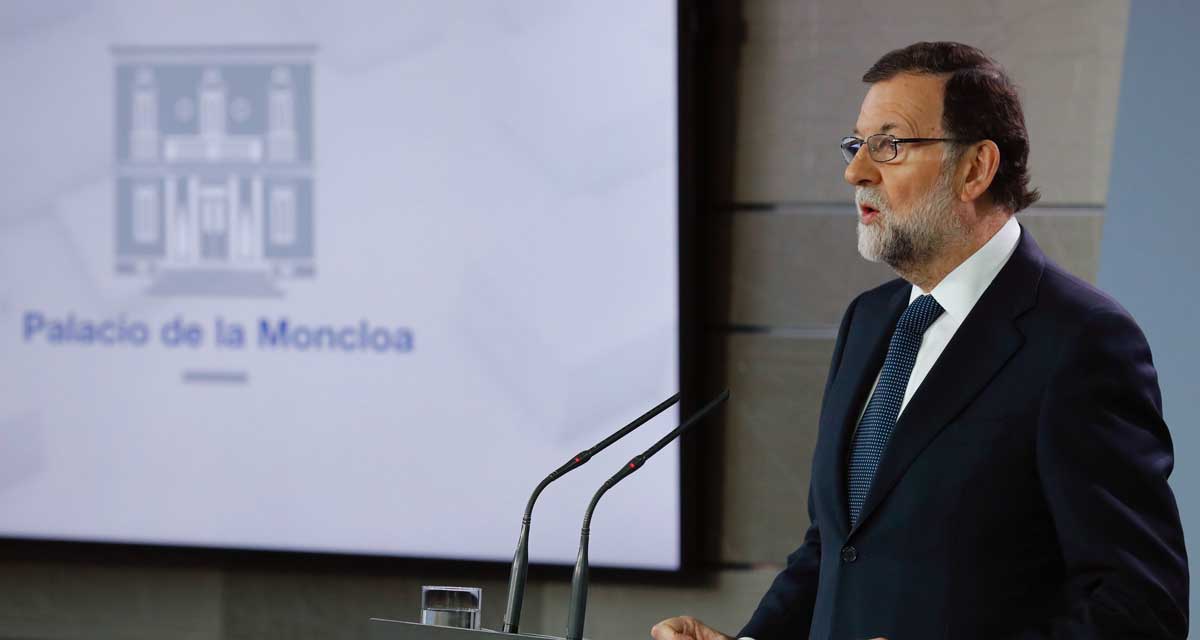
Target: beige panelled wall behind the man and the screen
793,268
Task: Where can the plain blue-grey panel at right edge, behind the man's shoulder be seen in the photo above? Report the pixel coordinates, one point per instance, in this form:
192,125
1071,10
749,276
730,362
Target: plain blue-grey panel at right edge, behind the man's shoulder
1149,258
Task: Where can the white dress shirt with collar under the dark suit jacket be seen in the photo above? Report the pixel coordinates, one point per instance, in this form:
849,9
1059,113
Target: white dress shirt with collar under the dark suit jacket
958,295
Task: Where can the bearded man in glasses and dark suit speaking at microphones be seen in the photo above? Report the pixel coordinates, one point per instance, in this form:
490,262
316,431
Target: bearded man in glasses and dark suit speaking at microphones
992,458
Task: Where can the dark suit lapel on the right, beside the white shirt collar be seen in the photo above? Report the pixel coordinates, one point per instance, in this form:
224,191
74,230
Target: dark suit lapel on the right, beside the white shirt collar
986,340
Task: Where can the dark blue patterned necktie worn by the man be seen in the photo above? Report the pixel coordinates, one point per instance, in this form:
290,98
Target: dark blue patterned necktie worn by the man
880,418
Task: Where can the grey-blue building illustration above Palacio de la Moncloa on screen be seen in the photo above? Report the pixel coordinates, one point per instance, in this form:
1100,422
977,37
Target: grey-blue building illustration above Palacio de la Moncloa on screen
214,169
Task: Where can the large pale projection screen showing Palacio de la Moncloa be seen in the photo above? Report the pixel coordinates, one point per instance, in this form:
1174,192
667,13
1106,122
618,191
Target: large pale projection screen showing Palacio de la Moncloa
338,278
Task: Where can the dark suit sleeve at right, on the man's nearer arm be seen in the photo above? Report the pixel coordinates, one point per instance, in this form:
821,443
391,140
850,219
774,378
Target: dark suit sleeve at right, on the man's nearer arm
1105,456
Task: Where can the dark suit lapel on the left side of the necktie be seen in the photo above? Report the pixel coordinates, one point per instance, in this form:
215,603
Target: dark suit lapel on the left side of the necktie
872,327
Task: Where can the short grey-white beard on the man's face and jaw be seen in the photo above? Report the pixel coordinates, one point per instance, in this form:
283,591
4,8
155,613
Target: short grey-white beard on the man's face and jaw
913,241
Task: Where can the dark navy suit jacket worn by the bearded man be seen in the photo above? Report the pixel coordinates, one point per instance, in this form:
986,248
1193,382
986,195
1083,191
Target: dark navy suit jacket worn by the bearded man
1024,493
